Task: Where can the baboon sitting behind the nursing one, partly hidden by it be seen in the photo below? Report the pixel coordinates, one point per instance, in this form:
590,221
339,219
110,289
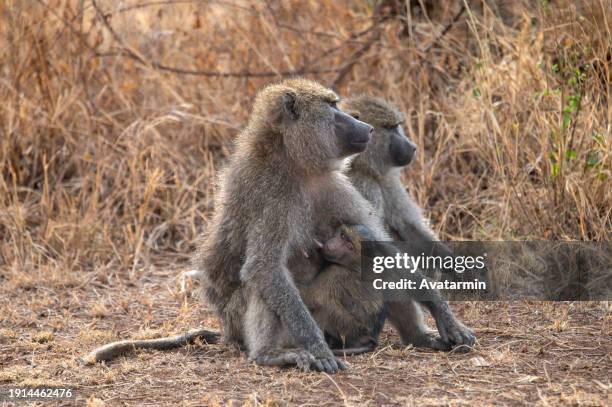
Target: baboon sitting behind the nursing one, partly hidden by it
376,174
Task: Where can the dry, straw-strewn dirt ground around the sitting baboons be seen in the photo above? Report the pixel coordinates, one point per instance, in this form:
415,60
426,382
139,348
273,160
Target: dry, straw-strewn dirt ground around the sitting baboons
527,353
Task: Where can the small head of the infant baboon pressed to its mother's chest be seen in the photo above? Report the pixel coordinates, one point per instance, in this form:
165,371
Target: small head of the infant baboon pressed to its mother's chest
344,247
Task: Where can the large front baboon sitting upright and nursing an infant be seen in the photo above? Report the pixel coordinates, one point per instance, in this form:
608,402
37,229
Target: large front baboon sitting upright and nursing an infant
286,168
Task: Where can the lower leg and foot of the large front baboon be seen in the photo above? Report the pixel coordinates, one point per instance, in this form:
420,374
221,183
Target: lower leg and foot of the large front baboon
269,345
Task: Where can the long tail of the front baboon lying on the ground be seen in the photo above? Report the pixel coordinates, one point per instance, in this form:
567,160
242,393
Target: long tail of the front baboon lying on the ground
114,349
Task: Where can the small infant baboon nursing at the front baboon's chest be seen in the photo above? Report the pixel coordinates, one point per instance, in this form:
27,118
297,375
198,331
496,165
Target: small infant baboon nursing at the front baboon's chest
350,315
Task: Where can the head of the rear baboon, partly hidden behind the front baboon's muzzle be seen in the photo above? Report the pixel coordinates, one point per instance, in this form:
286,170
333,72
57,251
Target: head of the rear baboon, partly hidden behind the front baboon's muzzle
389,148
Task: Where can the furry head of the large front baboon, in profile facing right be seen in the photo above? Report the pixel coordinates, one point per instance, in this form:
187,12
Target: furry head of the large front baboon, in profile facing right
301,119
